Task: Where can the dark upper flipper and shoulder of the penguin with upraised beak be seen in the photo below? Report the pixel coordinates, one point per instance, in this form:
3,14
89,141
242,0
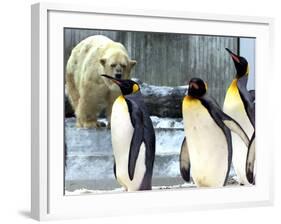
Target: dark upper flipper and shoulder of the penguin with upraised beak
246,98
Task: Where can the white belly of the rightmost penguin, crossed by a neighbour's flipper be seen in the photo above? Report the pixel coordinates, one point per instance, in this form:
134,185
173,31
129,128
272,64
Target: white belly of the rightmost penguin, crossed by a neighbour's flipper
233,106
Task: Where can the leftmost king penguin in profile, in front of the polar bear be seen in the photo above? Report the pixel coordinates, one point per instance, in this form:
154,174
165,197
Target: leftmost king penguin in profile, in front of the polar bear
133,138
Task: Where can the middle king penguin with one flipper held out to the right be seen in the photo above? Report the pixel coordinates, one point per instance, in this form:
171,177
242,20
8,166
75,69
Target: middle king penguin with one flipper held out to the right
207,148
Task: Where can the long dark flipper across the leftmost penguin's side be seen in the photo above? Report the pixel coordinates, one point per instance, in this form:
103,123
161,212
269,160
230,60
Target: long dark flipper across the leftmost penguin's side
138,135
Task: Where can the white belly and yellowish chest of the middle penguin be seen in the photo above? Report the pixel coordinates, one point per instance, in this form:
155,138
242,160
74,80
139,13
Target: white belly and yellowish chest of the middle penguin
207,147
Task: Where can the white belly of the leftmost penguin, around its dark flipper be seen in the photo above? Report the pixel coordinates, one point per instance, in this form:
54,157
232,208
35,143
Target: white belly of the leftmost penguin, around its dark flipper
121,134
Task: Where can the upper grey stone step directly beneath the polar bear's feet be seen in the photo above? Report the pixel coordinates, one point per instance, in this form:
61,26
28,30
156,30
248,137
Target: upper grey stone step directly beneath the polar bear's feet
92,142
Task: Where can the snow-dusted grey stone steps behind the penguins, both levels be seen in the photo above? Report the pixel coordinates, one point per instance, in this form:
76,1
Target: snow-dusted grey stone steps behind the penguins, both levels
89,157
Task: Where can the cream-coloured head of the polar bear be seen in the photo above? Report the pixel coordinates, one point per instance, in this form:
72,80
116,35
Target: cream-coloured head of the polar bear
117,64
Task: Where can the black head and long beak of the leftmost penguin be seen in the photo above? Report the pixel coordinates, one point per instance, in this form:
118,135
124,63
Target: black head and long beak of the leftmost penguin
127,86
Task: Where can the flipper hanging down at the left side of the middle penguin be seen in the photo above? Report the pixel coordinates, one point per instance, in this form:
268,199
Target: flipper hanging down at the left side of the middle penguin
184,161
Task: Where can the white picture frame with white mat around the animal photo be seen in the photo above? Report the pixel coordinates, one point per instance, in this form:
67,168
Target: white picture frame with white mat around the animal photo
48,200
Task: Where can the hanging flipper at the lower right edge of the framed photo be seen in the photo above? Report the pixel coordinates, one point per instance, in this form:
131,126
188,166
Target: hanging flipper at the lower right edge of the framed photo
250,162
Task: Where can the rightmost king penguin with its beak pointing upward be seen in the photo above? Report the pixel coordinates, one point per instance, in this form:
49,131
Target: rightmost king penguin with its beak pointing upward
239,103
